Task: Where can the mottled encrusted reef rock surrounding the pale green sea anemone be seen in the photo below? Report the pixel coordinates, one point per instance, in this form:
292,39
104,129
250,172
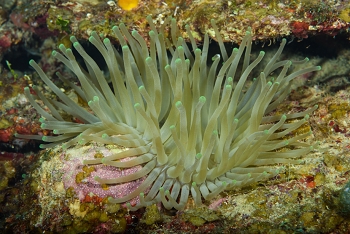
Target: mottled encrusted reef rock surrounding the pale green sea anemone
48,190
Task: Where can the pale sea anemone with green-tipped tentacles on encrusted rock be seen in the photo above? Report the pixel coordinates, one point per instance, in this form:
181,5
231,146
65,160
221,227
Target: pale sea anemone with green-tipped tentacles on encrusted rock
192,128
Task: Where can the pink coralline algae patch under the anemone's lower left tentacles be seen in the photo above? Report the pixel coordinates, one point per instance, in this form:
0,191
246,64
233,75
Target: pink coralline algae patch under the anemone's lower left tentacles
88,187
